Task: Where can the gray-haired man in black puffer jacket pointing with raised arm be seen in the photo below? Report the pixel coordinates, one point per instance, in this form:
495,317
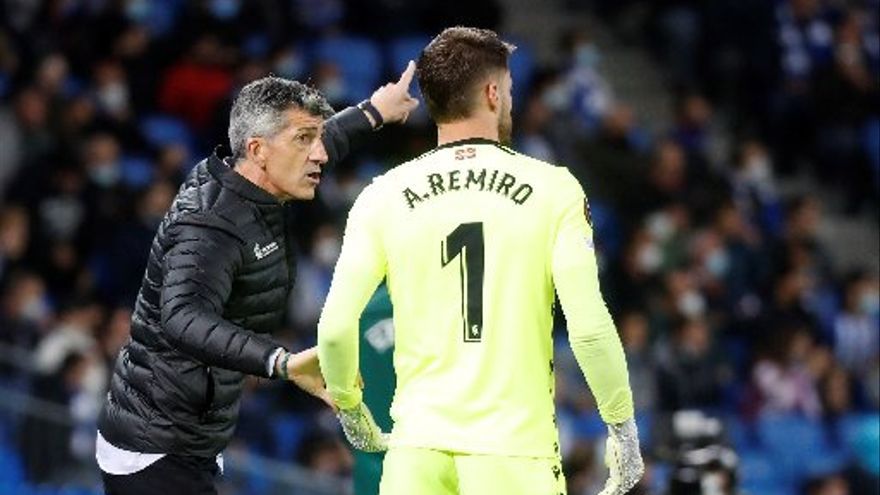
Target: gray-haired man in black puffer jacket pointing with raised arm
219,273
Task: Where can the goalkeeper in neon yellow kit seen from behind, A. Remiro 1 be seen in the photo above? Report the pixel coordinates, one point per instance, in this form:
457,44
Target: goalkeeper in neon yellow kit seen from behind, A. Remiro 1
474,239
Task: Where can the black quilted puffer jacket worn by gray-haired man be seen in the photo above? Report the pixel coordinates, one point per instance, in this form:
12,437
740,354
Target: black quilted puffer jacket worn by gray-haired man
218,277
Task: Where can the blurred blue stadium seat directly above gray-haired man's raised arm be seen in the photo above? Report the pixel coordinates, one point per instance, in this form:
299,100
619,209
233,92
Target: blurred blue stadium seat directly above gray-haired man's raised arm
359,61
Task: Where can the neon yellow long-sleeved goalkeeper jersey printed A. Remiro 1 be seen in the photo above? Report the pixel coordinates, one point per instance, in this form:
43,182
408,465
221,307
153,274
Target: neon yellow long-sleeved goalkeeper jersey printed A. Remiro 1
473,238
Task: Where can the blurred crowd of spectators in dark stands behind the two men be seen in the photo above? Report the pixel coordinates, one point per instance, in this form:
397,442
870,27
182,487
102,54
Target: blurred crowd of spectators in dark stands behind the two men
726,298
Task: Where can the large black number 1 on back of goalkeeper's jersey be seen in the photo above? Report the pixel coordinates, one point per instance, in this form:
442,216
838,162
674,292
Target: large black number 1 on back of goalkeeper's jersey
466,243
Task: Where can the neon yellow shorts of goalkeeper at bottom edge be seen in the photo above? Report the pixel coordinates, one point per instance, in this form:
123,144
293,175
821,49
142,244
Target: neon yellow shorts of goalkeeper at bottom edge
432,472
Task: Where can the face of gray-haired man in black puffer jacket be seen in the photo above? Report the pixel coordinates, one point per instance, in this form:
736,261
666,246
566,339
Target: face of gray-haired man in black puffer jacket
295,156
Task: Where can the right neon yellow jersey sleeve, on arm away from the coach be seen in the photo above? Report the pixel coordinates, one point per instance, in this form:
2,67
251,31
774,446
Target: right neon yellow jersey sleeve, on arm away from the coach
592,334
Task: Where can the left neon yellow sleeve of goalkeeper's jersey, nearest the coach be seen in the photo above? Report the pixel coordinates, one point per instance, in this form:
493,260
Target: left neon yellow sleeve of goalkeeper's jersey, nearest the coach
359,270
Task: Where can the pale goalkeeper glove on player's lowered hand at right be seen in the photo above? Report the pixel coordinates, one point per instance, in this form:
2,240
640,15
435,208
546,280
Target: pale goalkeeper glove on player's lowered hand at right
623,458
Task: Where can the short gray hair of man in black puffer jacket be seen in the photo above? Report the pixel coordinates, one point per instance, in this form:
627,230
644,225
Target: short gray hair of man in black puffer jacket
258,110
